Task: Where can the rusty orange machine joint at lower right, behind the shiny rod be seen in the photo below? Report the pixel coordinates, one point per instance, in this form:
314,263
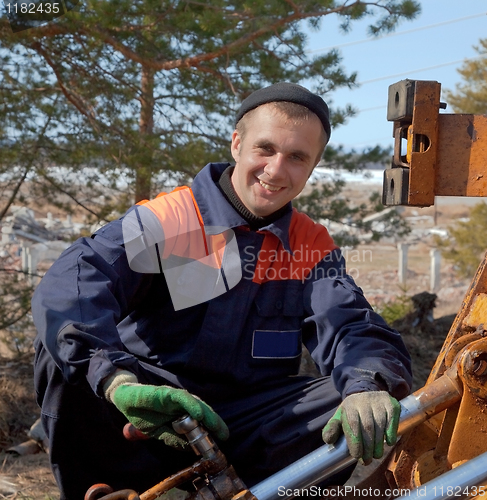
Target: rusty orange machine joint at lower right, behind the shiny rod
460,436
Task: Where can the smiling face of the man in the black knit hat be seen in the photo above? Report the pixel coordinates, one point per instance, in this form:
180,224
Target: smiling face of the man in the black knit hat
274,159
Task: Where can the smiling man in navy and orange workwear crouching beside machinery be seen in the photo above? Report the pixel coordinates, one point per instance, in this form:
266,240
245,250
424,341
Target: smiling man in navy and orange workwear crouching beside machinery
198,302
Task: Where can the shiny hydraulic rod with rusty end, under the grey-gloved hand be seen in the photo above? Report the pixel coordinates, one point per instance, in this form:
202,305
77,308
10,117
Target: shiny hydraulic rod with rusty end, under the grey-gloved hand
328,460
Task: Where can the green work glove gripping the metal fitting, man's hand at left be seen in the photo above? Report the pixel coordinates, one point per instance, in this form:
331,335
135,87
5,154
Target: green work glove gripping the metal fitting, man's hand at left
152,409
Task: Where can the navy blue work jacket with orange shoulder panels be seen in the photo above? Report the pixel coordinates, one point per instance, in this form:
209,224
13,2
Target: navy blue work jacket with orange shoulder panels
94,313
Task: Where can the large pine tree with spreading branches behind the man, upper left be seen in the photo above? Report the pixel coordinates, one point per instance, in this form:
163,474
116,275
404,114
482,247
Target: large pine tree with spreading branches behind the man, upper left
148,90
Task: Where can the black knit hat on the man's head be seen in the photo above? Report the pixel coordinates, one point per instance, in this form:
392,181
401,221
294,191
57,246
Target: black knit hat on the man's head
290,92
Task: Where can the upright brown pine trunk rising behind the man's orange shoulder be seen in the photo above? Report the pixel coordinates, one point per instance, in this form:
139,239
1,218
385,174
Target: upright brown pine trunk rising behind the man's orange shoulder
143,175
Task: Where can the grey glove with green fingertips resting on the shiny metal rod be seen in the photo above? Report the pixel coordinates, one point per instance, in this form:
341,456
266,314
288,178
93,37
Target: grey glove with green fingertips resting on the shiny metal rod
365,418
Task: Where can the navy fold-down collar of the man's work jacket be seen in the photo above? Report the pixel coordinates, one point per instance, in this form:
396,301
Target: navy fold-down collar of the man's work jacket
218,215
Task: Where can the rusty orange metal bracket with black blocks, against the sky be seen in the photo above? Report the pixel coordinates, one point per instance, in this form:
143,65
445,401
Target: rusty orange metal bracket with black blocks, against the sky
445,153
